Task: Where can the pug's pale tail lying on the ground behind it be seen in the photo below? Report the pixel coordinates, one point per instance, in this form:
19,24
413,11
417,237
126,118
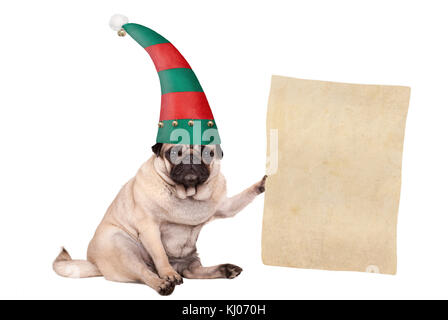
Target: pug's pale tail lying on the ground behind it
64,266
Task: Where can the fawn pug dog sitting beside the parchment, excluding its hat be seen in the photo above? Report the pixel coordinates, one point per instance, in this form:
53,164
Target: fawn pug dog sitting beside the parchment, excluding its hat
148,234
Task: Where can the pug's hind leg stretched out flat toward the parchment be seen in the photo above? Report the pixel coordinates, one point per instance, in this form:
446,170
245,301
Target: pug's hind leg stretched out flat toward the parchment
197,271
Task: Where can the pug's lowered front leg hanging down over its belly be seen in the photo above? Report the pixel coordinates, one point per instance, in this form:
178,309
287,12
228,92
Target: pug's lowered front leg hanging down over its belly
151,240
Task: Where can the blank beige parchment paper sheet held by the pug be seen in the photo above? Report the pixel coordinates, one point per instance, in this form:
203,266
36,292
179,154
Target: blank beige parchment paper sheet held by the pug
333,190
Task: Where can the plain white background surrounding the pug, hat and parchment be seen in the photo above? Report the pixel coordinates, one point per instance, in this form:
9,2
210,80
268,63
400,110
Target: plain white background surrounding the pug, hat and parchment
79,108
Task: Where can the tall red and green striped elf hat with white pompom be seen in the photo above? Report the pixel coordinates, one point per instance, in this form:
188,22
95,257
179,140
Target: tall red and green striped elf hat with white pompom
185,115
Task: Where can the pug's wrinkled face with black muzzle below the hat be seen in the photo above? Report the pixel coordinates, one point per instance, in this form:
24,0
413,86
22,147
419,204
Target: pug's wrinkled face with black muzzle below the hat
189,165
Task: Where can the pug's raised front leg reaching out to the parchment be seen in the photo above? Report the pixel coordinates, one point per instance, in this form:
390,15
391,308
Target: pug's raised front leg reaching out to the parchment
231,206
